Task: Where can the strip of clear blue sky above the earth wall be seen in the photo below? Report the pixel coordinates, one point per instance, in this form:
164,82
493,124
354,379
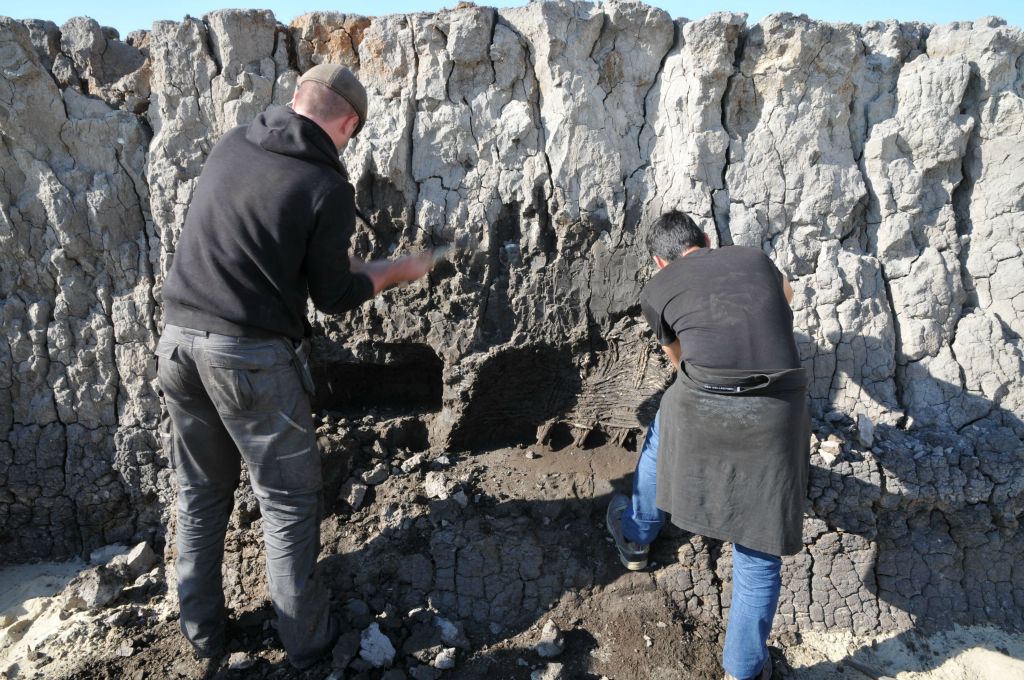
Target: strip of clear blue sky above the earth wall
127,17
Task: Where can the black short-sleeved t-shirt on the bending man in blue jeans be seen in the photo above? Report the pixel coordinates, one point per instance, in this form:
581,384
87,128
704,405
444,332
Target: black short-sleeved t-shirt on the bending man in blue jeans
728,309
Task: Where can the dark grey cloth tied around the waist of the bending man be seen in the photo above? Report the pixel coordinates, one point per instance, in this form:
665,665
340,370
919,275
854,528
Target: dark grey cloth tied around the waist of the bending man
734,456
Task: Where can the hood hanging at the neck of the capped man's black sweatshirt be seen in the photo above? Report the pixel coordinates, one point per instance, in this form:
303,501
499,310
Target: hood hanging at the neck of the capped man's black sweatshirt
281,131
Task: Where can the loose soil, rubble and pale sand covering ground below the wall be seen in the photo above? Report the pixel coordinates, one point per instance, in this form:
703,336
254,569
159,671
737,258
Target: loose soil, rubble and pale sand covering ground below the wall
443,565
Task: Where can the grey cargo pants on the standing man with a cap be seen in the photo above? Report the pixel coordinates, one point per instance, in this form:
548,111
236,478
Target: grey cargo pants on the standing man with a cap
230,397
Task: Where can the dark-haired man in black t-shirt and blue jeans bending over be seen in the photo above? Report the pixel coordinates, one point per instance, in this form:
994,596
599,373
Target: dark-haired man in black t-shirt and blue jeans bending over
728,455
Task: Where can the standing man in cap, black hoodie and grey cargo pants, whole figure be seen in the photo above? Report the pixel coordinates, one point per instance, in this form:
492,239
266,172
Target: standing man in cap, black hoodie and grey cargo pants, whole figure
269,226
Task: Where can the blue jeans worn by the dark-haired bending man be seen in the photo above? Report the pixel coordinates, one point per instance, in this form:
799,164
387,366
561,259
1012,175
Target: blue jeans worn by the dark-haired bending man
756,576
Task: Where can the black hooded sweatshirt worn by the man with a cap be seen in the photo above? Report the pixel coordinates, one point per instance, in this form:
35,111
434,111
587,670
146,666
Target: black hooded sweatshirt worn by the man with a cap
270,224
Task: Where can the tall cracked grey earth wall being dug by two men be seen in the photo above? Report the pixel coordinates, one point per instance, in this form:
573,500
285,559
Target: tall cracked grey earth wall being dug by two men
881,166
